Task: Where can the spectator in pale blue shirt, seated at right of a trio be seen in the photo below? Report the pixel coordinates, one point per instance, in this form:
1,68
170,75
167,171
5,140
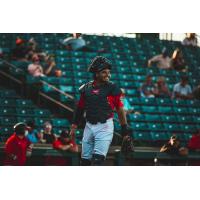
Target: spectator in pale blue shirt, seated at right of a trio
182,90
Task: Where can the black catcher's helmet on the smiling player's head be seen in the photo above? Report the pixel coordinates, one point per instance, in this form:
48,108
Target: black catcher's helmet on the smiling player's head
98,64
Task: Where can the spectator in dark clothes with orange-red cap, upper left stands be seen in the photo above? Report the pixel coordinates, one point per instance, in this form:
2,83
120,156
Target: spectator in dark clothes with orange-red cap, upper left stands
20,52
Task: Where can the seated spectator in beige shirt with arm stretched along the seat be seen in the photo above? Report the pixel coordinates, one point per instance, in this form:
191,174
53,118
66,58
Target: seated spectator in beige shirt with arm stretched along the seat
162,61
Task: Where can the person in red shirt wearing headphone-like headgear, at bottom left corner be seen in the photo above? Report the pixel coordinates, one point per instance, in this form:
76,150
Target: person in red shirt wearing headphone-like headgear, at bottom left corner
17,147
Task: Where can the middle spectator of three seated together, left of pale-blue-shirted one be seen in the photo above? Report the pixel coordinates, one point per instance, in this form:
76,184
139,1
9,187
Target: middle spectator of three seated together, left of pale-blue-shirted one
161,89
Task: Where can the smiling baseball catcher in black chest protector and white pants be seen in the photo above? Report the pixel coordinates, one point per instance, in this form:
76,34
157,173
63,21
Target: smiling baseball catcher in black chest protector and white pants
98,99
